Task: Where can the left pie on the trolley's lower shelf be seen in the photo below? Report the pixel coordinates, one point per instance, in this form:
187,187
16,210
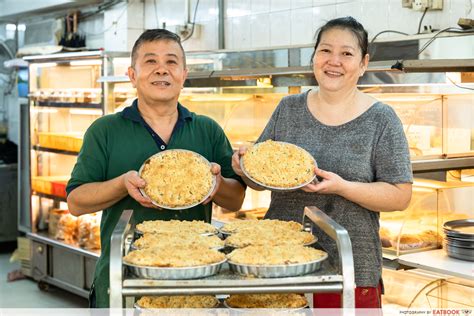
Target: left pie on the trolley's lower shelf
179,301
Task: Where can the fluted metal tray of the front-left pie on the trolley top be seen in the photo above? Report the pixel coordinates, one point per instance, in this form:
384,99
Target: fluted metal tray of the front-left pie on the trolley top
178,273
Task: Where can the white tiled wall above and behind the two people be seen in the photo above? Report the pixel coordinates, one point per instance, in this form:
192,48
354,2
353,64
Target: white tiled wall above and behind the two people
269,23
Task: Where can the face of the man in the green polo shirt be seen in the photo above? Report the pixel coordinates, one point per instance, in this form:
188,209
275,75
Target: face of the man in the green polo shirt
158,73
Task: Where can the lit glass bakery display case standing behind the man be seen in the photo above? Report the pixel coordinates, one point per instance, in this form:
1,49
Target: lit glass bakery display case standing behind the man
65,97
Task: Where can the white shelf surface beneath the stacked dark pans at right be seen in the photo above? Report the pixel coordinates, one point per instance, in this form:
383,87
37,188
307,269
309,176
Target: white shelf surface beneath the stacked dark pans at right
438,261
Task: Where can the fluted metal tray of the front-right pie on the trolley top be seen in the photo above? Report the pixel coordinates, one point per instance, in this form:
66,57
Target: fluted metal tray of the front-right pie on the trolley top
277,271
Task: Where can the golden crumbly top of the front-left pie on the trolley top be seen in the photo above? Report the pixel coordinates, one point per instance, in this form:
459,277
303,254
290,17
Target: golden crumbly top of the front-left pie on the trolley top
176,256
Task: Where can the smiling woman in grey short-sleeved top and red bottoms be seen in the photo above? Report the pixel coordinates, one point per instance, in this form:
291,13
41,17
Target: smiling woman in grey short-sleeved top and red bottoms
361,150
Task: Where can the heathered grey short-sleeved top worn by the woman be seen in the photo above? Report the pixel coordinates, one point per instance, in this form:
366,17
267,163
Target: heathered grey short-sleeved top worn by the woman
370,148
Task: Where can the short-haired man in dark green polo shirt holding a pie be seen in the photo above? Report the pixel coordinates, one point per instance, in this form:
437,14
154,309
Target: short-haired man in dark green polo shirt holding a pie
115,146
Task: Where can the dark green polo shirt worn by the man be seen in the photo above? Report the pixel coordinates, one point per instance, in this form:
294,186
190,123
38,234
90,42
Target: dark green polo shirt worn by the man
117,143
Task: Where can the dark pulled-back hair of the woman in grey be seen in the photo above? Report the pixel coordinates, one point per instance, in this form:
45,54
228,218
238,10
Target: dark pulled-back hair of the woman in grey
345,23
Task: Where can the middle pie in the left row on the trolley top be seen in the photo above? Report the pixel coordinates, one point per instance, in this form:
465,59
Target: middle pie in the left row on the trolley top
149,240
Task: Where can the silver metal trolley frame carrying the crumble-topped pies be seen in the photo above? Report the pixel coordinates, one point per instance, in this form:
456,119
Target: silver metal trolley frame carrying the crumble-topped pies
125,287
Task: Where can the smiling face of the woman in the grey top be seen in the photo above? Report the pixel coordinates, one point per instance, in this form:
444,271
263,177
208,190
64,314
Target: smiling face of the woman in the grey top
338,61
